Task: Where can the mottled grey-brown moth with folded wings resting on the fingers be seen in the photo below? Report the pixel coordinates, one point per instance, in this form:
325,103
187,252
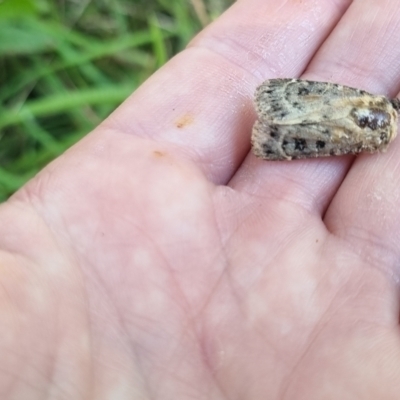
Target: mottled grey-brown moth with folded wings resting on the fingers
306,119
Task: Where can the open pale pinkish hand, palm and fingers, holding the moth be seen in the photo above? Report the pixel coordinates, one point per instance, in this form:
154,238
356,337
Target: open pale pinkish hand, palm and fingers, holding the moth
159,259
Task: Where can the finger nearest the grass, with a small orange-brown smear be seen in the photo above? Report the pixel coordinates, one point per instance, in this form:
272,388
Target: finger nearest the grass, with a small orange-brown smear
200,103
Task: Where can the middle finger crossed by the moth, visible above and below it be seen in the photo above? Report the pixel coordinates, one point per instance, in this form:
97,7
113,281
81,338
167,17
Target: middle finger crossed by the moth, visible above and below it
351,57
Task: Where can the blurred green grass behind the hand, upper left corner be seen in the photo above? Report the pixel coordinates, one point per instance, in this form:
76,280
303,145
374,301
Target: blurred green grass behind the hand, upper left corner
67,64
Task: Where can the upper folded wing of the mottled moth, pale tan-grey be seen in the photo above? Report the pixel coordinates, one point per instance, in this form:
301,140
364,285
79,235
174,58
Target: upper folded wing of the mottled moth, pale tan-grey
293,101
